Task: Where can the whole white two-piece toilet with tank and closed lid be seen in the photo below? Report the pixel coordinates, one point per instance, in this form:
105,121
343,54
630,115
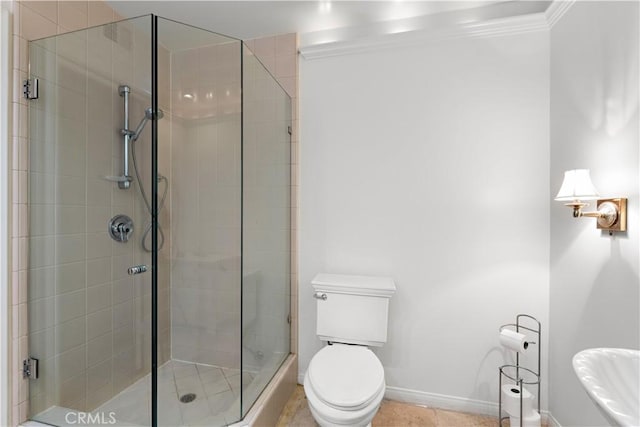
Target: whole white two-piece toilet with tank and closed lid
345,383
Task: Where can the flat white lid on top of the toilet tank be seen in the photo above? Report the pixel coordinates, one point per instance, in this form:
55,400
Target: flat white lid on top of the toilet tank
362,285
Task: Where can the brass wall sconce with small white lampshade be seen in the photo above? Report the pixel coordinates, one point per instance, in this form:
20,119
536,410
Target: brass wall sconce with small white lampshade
611,214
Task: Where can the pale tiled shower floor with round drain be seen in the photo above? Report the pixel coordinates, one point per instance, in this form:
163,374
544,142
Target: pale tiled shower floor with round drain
216,403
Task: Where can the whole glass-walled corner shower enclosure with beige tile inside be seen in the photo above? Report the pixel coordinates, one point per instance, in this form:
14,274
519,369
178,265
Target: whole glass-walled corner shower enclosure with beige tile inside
159,235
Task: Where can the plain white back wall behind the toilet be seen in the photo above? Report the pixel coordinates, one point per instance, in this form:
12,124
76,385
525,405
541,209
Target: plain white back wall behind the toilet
430,164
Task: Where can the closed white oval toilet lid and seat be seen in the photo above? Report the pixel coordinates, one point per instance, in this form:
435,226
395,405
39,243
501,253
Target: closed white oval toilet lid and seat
346,377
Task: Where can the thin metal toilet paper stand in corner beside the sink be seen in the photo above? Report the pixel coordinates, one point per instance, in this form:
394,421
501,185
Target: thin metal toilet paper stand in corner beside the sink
517,373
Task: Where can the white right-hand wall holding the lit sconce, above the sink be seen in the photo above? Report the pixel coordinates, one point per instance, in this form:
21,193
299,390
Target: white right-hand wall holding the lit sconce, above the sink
594,296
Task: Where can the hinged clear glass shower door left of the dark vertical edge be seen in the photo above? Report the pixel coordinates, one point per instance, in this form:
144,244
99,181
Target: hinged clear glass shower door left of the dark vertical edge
89,321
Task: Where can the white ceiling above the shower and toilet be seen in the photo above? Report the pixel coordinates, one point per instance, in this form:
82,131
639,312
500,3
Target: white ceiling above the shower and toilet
252,19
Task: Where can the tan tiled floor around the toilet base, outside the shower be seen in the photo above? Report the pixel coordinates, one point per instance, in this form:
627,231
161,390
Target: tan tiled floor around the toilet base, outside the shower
391,414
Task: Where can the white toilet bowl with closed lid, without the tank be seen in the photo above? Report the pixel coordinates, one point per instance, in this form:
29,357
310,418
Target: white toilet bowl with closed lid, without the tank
344,385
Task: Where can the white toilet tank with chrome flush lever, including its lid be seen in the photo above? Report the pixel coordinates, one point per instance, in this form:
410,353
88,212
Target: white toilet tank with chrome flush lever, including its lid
352,309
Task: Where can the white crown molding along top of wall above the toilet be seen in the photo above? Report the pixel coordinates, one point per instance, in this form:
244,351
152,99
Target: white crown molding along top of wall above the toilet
367,43
